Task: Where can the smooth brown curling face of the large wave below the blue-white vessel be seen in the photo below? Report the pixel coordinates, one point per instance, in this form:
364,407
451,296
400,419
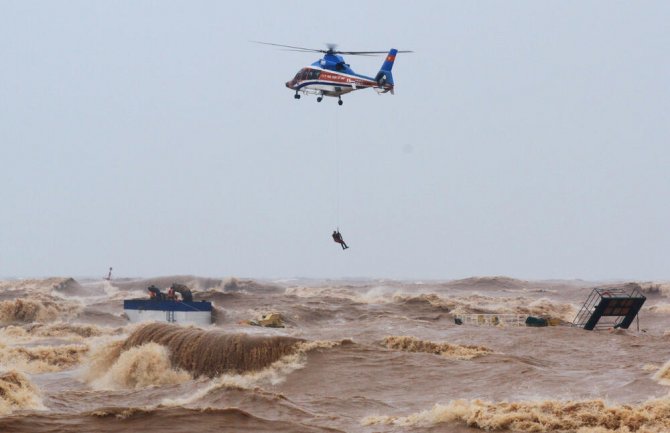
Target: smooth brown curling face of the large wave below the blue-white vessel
211,353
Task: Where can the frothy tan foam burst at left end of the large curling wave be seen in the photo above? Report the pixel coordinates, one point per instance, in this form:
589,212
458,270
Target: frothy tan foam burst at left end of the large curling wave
112,368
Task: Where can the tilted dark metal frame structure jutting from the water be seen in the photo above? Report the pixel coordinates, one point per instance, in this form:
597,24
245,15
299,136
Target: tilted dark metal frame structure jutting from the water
619,307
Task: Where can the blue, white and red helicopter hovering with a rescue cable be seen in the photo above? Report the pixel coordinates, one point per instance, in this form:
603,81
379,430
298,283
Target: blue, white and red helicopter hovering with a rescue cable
331,76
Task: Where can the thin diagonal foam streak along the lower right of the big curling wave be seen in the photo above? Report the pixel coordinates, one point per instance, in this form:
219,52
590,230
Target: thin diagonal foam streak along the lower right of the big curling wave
274,374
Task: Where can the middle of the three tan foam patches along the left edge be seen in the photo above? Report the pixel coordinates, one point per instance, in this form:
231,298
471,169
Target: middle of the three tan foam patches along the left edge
42,359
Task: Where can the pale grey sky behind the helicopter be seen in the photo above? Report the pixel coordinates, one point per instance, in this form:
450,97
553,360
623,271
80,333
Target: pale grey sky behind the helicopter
527,139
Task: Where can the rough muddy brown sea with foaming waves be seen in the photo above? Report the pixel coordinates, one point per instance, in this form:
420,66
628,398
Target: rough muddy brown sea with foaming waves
344,356
